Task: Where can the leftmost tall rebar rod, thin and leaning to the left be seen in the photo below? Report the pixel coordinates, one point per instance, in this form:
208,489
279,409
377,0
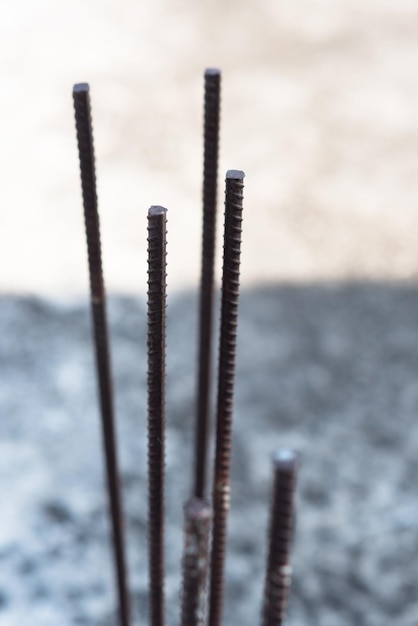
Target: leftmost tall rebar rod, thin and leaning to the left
98,305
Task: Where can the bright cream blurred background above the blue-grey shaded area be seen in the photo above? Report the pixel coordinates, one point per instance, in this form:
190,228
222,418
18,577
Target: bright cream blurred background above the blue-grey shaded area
320,108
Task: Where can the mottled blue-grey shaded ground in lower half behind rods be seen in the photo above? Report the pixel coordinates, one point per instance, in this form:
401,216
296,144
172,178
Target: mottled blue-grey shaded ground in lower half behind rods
330,369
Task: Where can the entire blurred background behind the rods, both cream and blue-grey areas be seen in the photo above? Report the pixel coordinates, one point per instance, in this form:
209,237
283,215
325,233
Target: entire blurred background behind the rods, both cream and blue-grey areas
320,108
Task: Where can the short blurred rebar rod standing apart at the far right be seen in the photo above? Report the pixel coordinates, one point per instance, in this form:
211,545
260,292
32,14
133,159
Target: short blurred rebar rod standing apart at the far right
279,569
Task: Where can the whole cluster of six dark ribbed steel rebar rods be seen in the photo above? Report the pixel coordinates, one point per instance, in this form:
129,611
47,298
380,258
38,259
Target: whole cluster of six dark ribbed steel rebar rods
205,519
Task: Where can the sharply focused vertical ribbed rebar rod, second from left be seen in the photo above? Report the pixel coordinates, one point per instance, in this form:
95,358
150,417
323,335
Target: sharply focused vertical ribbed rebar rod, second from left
157,228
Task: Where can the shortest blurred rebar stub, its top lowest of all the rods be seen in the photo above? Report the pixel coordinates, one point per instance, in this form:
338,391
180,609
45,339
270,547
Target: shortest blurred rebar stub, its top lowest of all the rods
197,521
